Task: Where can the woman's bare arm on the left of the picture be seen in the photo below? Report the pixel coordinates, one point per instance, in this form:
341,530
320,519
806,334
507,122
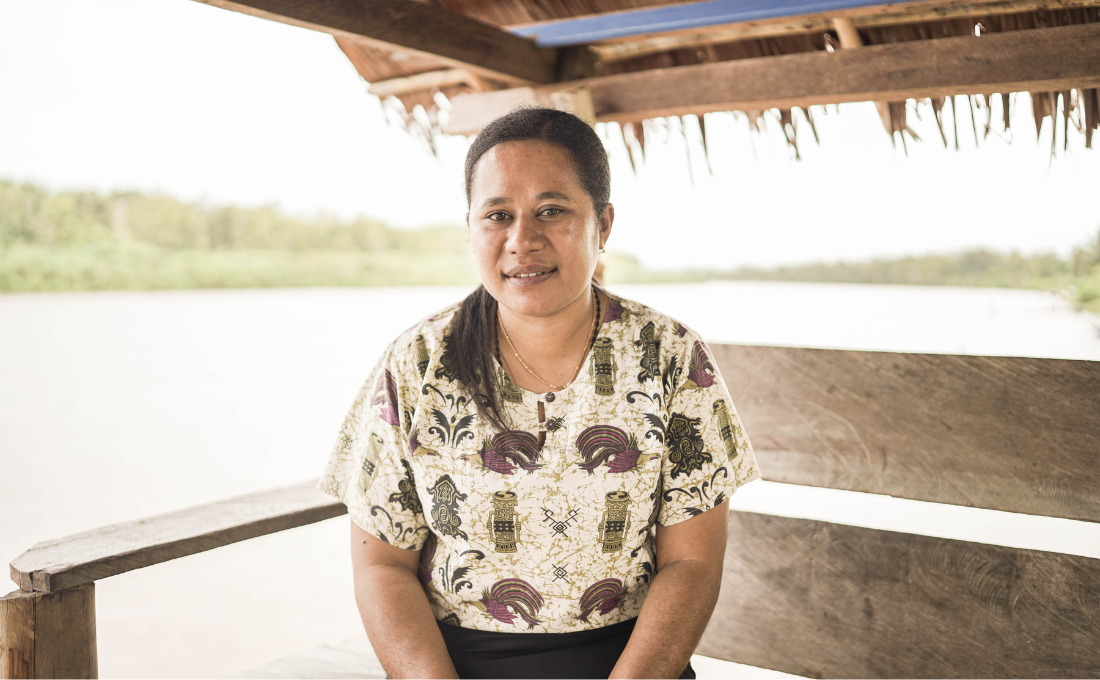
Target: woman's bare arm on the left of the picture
395,610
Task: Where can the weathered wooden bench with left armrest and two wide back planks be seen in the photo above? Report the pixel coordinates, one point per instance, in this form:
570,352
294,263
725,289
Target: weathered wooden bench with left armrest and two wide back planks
804,597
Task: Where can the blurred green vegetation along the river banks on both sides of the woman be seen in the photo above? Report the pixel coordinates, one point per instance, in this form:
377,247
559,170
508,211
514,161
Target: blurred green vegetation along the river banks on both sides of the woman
86,242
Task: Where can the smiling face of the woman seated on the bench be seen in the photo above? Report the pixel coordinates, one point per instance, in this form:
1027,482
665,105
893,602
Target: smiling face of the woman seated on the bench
534,229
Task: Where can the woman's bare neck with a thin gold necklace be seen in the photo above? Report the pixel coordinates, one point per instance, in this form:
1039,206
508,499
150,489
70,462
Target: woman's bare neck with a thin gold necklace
551,346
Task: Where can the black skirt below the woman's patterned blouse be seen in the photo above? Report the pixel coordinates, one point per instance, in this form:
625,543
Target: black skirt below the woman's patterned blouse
582,654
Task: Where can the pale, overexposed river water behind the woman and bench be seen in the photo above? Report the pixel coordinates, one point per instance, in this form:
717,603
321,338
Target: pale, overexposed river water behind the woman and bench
115,407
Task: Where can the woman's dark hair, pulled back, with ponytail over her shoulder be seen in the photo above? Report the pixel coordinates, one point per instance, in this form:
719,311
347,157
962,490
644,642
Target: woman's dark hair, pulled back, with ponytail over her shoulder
474,333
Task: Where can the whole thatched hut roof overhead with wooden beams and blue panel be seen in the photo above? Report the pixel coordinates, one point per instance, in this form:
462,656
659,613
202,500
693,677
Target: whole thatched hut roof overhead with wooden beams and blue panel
629,61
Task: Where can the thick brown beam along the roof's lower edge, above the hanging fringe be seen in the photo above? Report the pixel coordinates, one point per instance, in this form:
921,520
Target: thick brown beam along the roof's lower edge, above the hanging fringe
1040,60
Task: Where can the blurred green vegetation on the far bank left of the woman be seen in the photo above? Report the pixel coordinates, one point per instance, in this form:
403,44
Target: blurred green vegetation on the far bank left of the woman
85,242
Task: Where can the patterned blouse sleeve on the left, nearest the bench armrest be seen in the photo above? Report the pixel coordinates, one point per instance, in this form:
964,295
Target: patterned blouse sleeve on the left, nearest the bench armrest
369,468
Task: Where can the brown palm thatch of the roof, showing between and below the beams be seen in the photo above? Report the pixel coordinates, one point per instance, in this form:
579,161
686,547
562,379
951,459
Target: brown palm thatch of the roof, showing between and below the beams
731,42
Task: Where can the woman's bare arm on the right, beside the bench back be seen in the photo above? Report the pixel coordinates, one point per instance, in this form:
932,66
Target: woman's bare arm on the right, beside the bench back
680,599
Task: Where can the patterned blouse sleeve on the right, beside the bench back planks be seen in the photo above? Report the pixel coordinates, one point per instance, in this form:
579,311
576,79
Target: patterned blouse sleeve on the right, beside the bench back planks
709,455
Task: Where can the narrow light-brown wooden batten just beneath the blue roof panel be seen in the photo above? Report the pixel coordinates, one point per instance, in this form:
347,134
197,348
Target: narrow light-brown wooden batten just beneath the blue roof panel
881,16
